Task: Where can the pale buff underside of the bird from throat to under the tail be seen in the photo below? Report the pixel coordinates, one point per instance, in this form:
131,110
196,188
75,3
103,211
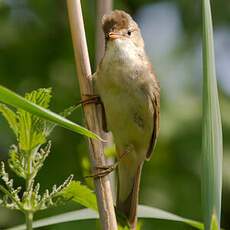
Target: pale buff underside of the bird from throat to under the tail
124,84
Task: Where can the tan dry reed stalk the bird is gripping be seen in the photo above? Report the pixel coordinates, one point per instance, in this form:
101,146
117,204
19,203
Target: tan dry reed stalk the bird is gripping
103,189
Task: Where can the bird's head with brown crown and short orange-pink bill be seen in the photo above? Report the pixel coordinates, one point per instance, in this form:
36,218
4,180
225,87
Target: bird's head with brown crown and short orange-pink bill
119,25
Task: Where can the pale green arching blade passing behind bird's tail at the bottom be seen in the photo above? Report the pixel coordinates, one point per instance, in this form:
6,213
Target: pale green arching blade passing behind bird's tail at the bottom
84,214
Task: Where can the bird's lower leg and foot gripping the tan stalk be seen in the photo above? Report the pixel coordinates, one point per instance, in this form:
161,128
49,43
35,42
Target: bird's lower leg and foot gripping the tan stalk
104,170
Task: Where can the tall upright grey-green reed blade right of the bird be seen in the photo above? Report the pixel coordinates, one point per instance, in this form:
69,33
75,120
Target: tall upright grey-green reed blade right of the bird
212,146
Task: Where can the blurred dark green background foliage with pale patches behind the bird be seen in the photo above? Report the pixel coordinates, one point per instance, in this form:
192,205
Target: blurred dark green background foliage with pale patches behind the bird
36,51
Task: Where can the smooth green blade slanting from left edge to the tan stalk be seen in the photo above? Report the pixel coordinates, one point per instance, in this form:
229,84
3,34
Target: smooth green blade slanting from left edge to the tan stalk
11,98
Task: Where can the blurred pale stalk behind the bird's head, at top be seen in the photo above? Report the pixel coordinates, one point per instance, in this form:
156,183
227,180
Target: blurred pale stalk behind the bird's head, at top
103,7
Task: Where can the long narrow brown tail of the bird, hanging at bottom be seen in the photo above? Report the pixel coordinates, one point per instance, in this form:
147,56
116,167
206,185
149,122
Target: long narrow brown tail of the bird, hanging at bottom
128,191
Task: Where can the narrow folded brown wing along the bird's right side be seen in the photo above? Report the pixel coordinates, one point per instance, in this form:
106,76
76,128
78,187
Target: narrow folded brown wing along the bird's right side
155,99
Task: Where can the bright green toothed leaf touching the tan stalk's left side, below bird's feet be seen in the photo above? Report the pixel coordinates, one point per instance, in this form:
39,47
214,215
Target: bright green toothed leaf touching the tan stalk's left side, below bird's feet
80,194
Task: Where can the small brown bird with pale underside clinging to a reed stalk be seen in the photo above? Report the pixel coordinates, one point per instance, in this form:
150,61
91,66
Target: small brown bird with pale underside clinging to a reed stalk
130,94
